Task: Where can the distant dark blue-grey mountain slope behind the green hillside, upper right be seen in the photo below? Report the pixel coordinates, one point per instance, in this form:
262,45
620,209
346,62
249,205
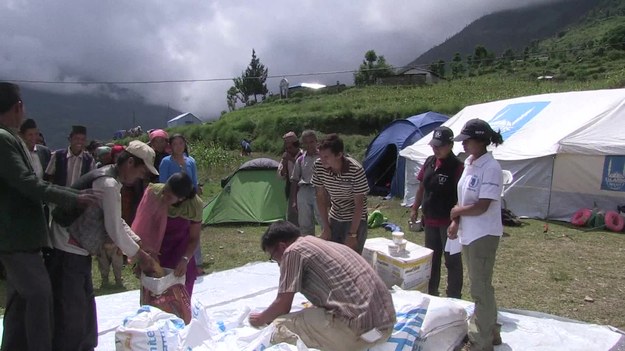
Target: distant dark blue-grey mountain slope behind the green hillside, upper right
513,29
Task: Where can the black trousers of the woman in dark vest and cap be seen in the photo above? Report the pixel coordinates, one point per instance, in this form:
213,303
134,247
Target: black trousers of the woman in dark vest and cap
435,239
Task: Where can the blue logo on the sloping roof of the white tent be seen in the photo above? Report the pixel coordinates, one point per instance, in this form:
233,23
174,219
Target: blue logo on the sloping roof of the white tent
513,117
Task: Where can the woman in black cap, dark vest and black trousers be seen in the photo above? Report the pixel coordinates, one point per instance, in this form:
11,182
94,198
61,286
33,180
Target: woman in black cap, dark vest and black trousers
438,180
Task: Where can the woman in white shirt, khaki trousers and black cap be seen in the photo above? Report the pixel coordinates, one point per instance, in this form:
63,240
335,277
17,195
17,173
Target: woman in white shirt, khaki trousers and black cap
476,220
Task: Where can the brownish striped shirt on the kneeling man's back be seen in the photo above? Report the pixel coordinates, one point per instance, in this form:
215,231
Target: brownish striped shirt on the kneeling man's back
334,277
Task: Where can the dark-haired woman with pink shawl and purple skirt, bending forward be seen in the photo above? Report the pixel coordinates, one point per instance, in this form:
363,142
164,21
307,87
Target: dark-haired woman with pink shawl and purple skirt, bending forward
169,224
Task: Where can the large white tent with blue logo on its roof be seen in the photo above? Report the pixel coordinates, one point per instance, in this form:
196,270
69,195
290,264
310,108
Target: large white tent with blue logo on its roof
565,150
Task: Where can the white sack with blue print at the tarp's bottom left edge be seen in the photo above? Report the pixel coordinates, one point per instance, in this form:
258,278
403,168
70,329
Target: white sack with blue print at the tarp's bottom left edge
150,329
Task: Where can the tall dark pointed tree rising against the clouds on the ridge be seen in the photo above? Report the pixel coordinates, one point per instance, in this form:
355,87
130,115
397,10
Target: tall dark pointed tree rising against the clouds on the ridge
250,83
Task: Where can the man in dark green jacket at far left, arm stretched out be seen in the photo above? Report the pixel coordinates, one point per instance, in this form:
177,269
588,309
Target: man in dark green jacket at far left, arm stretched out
23,232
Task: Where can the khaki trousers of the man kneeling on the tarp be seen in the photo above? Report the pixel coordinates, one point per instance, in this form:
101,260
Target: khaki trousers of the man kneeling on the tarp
320,329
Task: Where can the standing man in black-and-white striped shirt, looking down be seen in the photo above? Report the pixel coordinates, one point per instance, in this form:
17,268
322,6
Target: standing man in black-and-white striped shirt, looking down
342,186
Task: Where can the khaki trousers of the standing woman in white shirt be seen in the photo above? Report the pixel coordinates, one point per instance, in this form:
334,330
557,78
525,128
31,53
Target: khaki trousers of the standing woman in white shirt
479,258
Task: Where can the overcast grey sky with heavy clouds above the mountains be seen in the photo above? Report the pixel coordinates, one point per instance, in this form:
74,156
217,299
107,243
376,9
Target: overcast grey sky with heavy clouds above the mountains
152,40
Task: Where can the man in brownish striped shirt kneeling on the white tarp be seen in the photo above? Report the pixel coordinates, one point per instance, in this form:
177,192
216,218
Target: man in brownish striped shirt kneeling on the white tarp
353,309
